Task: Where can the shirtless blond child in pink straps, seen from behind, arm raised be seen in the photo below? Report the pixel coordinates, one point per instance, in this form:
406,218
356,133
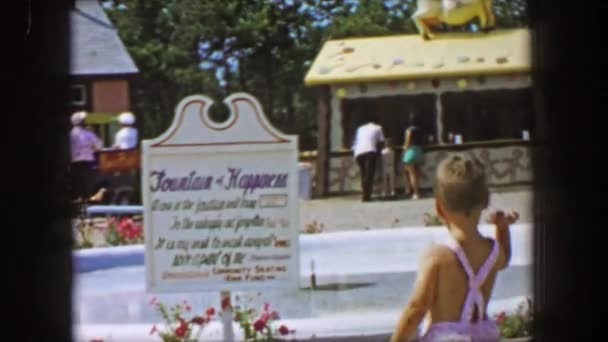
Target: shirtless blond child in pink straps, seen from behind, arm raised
456,280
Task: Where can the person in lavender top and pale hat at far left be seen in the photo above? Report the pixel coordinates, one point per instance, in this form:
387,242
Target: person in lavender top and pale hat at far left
84,143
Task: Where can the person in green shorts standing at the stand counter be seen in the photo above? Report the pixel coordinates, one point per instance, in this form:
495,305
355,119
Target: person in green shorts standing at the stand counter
413,156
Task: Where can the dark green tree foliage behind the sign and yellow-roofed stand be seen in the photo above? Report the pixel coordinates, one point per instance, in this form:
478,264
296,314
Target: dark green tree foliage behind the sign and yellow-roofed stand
263,47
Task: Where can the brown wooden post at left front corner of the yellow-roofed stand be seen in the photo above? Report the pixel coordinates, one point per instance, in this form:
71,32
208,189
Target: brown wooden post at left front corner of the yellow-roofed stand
322,164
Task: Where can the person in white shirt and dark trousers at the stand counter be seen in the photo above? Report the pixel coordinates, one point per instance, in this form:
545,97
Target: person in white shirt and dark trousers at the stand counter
368,144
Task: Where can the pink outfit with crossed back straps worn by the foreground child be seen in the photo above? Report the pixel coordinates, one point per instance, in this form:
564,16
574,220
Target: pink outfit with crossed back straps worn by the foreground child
464,330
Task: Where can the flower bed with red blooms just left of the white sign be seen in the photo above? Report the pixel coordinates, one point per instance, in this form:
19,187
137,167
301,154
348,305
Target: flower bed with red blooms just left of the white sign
109,231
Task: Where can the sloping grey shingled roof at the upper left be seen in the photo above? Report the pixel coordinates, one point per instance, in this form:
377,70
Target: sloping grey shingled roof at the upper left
96,48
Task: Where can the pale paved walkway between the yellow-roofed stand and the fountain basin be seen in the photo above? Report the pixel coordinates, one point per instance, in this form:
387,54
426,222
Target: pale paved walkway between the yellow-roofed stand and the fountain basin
349,213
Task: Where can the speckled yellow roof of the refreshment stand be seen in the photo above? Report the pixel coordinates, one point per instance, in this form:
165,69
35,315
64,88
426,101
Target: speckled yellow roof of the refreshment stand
359,60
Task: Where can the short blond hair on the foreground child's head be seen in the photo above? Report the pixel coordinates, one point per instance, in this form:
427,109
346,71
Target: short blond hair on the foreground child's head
460,183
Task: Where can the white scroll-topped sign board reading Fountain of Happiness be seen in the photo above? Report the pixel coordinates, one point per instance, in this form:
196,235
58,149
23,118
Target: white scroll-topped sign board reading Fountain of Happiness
220,201
